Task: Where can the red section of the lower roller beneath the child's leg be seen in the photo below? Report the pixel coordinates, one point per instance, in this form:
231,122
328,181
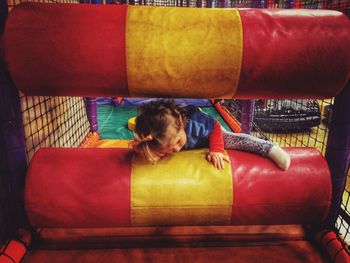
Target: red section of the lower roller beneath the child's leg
266,195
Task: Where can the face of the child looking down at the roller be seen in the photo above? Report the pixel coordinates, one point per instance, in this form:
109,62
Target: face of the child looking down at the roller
175,141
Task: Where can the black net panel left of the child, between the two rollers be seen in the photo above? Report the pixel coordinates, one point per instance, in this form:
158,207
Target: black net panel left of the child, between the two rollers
53,122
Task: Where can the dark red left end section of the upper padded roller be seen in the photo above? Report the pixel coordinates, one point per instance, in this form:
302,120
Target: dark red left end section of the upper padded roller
61,49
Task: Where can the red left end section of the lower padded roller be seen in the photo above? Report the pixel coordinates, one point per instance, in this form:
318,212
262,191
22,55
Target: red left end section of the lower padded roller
79,188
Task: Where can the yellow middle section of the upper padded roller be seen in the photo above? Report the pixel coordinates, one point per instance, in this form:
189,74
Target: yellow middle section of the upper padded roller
183,52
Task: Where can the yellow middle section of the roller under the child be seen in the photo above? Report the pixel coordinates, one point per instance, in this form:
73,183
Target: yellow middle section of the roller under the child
182,189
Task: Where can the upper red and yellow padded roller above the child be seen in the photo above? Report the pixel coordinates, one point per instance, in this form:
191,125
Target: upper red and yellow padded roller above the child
176,52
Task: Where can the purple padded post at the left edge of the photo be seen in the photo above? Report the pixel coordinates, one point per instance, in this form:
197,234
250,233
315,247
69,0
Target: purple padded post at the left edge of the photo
12,151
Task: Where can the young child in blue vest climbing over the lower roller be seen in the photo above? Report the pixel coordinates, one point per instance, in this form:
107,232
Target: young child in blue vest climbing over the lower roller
164,127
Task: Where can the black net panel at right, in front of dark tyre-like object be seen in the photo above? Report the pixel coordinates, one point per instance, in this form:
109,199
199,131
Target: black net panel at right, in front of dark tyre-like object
296,123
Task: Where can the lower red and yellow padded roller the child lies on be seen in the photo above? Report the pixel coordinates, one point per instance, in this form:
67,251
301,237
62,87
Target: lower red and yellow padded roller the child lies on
89,188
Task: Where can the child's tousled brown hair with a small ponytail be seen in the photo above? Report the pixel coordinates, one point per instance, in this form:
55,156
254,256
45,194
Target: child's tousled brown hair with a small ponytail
152,123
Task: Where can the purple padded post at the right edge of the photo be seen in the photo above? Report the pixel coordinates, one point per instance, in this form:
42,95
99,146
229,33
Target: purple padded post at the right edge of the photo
338,150
